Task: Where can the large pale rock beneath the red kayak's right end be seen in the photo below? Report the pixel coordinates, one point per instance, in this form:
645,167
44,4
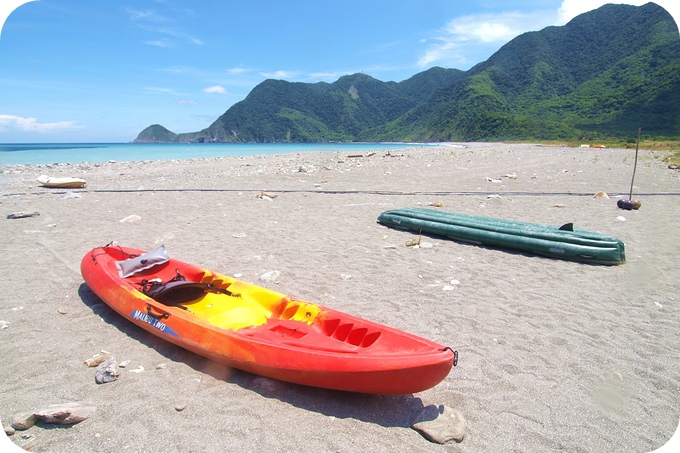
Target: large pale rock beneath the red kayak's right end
440,424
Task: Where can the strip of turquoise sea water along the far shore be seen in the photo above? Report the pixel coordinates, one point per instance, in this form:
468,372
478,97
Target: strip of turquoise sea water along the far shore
52,153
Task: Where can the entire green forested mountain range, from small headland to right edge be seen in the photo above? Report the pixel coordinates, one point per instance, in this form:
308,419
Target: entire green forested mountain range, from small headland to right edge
608,72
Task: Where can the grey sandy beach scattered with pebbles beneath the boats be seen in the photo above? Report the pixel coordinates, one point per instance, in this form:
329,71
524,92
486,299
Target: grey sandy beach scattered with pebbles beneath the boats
554,355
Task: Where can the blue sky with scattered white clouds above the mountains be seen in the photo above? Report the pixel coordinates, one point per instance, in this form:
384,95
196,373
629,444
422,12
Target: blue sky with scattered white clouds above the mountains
103,70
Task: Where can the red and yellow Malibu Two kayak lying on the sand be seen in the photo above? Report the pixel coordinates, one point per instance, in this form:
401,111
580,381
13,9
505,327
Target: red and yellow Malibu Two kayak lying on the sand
262,331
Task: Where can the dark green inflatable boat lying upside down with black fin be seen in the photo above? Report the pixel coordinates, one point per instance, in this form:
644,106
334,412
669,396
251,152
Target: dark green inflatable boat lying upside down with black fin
563,242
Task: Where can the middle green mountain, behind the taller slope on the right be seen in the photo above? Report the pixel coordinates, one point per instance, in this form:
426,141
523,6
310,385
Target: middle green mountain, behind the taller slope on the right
280,111
